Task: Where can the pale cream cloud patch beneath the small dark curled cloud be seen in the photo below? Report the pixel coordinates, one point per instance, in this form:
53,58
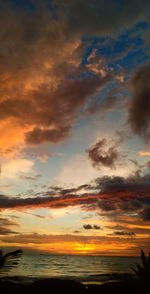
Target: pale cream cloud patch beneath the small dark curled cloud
78,169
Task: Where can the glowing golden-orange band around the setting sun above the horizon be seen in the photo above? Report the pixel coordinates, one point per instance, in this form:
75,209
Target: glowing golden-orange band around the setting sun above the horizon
71,244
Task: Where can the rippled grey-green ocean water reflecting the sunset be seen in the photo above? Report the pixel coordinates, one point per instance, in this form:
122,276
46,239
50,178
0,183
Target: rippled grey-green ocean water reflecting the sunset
79,267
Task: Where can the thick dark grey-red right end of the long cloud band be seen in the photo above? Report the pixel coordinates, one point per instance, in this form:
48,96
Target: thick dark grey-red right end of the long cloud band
130,195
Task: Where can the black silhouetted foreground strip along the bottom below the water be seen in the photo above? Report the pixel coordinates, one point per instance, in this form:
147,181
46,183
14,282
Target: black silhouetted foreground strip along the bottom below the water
70,286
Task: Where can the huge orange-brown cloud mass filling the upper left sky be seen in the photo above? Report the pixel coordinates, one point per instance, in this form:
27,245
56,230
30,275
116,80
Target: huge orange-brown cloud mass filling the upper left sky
39,99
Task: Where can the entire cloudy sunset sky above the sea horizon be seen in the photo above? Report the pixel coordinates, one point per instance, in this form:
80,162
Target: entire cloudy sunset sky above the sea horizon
75,126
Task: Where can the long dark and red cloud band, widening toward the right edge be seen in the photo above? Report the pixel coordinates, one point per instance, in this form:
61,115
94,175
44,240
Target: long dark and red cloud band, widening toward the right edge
108,196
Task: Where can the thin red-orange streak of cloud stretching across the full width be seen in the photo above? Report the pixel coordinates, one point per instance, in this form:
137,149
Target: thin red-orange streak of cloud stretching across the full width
125,201
